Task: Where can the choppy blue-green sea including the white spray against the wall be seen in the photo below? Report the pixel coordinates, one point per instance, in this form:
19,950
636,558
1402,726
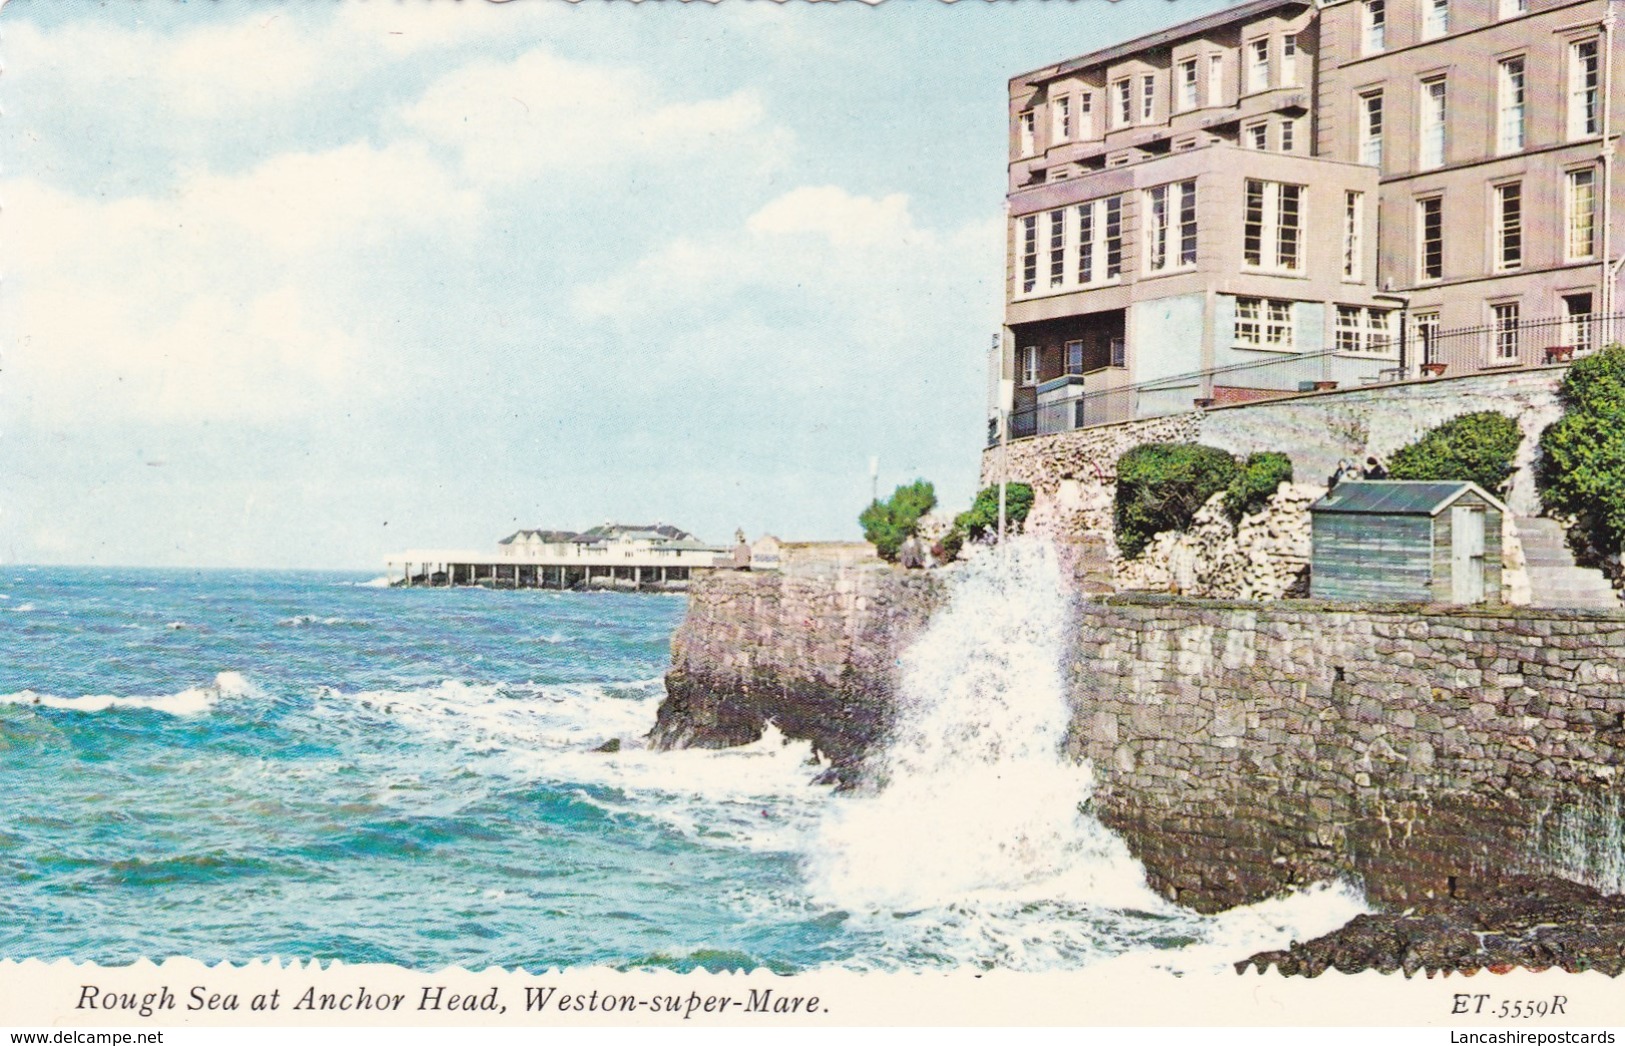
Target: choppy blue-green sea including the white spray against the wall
238,766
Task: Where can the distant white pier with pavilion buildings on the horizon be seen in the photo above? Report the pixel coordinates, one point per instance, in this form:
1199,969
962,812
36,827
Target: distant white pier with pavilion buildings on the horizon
617,556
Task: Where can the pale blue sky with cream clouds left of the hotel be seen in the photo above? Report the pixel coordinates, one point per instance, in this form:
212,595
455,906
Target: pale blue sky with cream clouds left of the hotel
300,285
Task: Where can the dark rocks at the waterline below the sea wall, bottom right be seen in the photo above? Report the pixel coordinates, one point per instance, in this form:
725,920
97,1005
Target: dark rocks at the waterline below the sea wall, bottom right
1530,922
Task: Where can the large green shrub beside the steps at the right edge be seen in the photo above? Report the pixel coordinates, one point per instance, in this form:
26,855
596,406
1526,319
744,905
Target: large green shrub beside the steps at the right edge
1584,454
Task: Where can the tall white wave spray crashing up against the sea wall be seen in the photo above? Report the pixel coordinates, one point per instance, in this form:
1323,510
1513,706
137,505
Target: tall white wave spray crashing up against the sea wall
979,798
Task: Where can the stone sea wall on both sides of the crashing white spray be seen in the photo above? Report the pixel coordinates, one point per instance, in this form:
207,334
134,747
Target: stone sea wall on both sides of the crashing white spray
1241,748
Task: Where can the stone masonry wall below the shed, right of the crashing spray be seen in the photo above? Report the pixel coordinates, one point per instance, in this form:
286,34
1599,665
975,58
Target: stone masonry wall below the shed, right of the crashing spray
1246,748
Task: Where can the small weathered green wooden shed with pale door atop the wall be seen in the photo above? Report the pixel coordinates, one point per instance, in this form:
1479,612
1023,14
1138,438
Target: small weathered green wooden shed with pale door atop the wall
1406,542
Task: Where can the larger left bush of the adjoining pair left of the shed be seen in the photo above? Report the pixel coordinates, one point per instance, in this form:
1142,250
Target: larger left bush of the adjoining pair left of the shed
1161,486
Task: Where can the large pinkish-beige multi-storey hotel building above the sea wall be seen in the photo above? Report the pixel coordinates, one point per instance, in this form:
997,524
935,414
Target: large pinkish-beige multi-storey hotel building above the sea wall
1291,196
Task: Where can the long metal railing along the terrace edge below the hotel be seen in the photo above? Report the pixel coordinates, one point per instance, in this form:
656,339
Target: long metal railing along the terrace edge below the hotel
1428,353
